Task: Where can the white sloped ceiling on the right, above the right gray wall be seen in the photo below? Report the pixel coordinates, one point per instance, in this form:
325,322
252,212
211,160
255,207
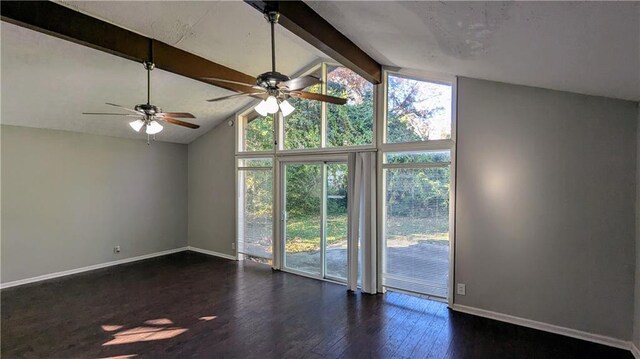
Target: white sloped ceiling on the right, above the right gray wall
585,47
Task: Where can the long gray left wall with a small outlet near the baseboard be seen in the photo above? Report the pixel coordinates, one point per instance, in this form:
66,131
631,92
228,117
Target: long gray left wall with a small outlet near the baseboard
68,198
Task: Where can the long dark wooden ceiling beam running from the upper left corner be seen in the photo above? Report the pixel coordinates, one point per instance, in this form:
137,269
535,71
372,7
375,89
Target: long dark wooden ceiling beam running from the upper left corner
59,21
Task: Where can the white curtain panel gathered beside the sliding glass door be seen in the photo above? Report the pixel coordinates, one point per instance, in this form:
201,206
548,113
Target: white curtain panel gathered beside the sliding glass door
362,246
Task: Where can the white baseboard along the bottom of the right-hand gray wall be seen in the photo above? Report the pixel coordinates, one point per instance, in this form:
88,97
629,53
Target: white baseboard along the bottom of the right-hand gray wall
578,334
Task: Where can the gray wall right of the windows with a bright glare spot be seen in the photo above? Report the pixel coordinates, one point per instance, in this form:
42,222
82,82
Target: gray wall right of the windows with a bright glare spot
545,205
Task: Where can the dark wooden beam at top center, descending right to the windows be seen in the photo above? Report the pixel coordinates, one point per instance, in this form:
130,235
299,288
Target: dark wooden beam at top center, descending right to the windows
300,19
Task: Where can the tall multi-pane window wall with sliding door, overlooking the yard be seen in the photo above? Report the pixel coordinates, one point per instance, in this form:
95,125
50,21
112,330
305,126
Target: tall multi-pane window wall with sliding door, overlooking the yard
301,159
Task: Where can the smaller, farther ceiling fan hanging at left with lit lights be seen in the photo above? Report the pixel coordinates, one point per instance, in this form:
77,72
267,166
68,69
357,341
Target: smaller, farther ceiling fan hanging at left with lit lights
149,116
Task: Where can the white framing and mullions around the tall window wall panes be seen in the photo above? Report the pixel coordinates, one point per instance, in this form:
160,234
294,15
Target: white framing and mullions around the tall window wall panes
279,154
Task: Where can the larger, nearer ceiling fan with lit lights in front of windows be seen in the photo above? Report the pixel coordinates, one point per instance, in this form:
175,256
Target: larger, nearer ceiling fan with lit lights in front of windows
275,88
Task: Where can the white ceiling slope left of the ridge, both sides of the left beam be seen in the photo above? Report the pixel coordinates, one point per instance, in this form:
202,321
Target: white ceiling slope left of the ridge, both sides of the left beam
48,82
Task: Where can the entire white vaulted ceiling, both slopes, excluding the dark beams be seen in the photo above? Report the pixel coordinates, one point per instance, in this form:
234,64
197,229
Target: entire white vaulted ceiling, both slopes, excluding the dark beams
585,47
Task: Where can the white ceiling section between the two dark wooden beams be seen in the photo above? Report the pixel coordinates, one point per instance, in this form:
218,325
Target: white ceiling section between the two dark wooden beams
230,33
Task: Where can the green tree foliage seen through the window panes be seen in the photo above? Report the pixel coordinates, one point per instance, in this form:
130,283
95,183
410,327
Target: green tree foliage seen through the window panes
416,111
